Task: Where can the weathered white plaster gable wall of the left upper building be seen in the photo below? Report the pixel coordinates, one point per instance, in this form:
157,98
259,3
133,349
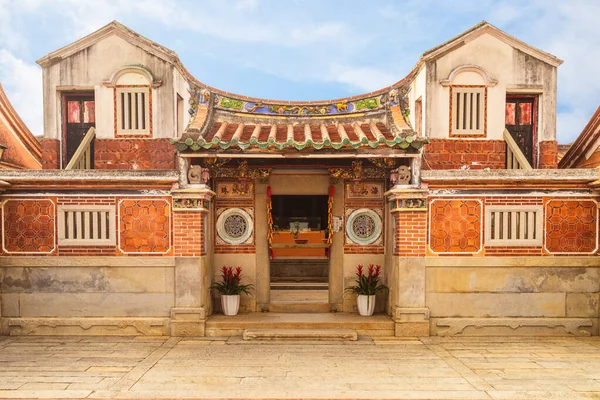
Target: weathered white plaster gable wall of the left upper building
87,69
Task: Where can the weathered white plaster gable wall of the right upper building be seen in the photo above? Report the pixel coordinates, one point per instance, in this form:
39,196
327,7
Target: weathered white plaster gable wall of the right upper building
515,72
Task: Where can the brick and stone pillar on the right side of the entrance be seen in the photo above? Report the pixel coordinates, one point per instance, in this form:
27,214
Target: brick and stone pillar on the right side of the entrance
408,205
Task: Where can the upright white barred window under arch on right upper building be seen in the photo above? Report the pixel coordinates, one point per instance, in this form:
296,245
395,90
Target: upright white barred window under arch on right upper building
468,110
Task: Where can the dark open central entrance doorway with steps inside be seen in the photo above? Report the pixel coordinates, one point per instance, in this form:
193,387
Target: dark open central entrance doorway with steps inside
299,270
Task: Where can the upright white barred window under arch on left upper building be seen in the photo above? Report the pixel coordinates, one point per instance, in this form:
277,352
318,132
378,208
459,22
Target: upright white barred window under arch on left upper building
133,105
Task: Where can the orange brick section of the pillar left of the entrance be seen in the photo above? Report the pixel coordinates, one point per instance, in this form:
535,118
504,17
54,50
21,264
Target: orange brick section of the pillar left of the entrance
188,234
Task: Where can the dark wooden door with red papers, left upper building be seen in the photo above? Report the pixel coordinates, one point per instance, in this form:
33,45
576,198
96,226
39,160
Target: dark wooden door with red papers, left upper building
79,117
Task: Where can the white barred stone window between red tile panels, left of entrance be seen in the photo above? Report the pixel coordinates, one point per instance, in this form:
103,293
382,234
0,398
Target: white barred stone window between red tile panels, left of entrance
82,225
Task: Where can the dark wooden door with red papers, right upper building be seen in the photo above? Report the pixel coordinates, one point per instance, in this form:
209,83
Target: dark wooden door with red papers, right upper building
520,123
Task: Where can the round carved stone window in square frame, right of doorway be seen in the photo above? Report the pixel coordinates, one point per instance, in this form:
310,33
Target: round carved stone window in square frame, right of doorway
364,226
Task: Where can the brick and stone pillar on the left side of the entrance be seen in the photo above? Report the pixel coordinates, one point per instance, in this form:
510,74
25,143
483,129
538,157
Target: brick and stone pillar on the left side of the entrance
192,265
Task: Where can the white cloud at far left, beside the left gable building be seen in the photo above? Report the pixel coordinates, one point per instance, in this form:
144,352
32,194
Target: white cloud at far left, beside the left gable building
22,83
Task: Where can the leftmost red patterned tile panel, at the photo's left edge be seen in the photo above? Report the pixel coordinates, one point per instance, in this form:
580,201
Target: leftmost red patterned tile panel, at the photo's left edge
29,226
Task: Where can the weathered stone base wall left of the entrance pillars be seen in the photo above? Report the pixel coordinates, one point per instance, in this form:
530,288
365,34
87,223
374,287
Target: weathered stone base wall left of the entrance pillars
86,295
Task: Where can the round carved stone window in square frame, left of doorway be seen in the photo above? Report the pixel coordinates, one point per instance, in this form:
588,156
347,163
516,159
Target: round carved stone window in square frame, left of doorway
235,226
